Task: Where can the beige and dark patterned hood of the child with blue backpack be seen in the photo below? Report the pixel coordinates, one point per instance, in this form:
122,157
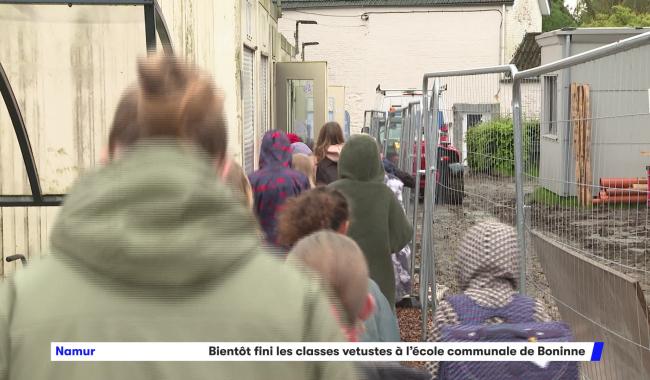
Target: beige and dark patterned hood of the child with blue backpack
488,257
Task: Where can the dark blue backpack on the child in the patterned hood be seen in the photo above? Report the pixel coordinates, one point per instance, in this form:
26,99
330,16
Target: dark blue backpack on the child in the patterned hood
519,326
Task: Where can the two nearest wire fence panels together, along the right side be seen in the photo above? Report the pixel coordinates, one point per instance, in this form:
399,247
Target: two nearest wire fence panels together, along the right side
560,153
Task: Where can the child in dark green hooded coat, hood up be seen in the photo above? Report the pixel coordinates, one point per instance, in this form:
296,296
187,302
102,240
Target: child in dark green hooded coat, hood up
378,223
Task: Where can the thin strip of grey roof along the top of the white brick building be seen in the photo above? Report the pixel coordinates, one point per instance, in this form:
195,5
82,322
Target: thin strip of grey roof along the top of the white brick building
304,4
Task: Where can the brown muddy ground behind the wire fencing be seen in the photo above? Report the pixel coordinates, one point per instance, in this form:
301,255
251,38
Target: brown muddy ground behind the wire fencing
614,235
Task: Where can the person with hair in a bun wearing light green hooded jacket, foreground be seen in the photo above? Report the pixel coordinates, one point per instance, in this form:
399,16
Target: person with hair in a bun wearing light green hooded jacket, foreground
153,247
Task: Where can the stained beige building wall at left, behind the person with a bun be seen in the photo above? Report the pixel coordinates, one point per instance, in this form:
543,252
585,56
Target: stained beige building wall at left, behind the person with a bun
69,65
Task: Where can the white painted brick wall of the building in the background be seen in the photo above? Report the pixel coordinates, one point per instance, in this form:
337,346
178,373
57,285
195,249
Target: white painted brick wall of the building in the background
396,49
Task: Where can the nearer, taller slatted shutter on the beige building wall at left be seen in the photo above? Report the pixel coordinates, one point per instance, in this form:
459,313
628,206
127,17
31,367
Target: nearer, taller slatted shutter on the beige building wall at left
248,104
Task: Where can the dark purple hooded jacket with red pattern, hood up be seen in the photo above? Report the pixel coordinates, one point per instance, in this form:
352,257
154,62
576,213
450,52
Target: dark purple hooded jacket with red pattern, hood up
275,181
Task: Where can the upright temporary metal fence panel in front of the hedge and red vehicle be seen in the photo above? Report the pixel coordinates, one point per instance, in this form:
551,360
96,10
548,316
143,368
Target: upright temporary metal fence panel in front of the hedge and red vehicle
467,180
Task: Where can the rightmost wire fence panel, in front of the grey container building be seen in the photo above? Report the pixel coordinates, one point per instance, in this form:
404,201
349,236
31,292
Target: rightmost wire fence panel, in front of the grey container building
585,191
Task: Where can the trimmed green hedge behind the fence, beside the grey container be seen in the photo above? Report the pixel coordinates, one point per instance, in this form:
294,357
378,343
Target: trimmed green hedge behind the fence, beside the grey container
490,147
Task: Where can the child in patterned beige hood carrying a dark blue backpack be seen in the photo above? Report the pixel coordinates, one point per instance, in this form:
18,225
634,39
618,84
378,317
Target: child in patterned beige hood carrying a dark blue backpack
488,275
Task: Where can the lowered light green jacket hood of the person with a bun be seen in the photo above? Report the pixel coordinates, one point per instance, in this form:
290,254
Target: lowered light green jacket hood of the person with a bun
157,216
